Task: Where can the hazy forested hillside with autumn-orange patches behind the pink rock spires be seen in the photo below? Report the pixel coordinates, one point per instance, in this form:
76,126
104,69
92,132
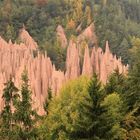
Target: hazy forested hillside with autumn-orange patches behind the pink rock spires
115,20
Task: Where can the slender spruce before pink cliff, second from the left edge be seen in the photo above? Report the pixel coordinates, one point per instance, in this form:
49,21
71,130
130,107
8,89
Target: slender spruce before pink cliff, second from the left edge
25,115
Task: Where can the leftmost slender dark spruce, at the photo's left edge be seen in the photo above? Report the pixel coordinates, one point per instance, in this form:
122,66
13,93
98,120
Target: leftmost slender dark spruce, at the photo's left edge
7,118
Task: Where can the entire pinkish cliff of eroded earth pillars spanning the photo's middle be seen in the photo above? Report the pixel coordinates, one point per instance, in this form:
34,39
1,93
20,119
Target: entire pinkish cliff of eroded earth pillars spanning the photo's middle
14,58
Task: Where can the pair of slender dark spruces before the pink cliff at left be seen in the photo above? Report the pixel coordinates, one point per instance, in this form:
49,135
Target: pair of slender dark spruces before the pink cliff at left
18,119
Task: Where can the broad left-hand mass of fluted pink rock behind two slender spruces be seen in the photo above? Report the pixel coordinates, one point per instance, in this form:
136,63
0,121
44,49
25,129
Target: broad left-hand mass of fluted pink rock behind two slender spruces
14,58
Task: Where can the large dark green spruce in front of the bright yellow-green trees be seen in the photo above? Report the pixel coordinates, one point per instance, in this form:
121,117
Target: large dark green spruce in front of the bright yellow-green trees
94,110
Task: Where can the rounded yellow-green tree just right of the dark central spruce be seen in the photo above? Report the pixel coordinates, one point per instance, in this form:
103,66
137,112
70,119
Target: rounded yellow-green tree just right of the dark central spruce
112,117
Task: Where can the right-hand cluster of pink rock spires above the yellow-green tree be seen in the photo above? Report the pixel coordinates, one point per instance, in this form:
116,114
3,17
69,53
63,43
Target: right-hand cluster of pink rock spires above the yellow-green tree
103,64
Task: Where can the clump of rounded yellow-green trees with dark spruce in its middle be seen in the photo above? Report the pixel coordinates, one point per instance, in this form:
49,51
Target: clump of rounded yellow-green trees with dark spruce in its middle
83,111
